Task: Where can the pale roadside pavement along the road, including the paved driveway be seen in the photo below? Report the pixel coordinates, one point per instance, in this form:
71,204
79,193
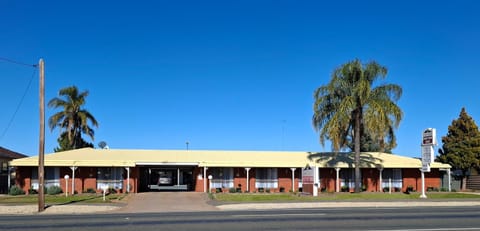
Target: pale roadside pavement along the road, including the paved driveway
158,203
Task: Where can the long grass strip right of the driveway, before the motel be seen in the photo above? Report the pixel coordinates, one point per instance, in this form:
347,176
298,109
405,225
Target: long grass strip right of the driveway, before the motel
289,197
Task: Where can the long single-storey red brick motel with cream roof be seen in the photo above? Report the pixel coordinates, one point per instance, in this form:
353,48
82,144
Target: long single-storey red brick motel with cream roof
92,170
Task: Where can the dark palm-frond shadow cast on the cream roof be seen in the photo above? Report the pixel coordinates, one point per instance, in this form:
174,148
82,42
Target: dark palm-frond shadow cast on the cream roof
335,159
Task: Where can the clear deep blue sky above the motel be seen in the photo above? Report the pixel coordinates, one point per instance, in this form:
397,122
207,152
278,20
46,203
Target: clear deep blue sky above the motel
231,75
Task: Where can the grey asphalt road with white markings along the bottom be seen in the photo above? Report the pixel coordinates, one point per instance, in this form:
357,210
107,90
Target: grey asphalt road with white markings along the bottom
415,218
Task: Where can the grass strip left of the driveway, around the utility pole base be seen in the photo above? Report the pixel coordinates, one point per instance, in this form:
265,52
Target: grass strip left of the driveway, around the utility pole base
61,199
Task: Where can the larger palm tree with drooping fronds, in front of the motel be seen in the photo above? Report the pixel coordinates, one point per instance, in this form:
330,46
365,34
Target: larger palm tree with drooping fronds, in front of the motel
352,104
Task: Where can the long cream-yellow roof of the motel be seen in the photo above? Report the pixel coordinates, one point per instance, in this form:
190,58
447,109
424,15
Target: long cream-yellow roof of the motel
89,157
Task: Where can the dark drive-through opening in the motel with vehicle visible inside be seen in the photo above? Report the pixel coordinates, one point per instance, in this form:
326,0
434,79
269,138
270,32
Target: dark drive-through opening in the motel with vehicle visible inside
166,178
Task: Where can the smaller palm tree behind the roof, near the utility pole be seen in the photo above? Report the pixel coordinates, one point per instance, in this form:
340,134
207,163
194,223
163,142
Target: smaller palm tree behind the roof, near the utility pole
73,119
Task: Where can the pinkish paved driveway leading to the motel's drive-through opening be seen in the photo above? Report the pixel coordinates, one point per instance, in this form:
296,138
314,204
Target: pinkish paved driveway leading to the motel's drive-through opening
157,202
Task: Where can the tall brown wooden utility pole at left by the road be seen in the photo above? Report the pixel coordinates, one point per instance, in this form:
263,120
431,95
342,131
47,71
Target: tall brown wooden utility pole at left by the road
41,149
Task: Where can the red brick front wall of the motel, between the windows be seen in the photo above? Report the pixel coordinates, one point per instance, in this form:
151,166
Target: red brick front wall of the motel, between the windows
85,178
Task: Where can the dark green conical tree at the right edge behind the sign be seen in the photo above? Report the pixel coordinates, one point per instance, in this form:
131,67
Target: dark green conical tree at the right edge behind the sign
461,145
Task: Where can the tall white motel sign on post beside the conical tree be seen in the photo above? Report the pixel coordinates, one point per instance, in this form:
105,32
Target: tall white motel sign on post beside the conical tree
429,139
